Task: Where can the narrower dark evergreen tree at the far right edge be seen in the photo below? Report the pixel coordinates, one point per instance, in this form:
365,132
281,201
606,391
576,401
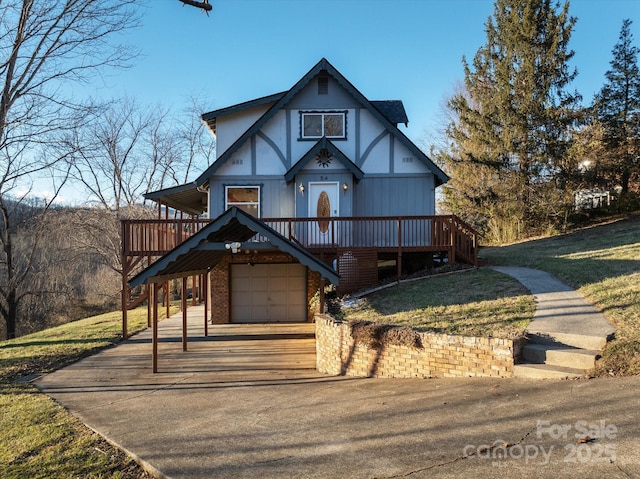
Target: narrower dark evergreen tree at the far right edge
617,108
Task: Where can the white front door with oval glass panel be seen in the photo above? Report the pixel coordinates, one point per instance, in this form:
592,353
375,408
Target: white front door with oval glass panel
323,203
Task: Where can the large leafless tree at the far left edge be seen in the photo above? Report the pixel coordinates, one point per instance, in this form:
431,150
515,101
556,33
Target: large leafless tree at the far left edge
45,47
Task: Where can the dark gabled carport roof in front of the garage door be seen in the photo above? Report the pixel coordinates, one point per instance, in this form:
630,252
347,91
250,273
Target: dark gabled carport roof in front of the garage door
208,247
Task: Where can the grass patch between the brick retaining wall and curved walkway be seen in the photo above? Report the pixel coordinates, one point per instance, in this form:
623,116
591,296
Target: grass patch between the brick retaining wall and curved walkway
471,303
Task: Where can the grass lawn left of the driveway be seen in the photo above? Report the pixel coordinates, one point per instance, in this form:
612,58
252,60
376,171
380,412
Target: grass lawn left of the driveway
39,439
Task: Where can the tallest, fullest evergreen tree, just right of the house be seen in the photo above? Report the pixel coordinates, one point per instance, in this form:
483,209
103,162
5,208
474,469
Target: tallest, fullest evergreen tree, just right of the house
511,125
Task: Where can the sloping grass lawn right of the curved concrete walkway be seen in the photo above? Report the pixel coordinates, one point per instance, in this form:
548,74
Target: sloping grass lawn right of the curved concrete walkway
603,263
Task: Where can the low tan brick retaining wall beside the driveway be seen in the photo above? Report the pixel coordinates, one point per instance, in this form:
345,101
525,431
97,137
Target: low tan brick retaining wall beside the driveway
441,355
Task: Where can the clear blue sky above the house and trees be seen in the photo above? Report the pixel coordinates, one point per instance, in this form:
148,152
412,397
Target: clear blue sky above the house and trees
389,49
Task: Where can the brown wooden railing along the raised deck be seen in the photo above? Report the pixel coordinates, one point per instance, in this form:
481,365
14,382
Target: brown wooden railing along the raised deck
405,233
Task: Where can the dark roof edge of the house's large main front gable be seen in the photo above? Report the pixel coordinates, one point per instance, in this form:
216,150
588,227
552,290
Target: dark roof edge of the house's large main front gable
322,65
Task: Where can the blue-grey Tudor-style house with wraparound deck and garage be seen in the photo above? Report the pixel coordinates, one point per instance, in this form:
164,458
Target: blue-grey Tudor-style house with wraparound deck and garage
311,184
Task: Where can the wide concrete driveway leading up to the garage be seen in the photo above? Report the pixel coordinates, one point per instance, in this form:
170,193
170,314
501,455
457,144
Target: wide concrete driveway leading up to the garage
247,402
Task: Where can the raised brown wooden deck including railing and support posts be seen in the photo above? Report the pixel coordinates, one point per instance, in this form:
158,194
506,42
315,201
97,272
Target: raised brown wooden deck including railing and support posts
353,245
